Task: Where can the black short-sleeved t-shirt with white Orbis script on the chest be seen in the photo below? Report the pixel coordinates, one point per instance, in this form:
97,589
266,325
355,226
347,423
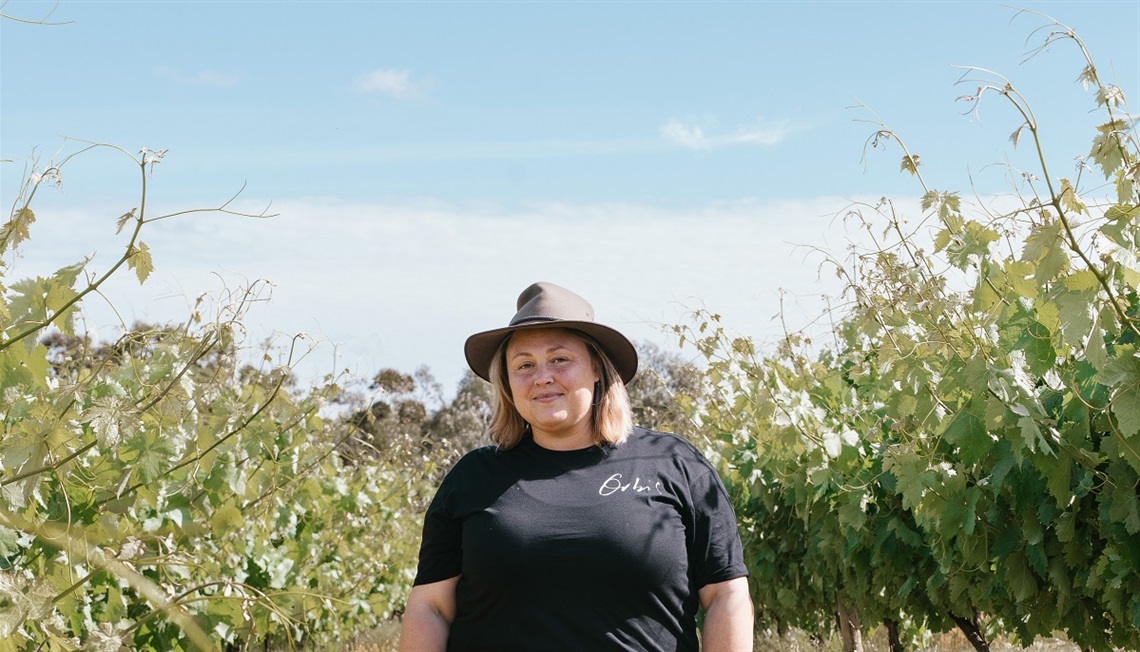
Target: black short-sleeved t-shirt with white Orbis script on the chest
601,549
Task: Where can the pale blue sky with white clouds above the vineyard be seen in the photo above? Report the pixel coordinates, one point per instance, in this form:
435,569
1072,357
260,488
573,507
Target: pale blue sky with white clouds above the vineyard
429,160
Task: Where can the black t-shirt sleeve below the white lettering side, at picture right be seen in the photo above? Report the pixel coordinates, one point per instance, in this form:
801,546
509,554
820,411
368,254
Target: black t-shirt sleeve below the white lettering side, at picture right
716,553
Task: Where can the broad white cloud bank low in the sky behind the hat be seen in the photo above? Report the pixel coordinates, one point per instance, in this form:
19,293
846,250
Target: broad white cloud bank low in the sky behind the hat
745,260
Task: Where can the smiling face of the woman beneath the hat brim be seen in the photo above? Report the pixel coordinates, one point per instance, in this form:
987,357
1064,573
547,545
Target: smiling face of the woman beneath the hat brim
552,379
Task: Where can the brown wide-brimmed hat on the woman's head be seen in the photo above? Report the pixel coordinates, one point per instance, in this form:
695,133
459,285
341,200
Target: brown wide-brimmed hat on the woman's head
548,306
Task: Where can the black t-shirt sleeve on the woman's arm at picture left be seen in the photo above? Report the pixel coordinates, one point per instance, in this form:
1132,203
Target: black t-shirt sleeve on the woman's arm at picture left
442,544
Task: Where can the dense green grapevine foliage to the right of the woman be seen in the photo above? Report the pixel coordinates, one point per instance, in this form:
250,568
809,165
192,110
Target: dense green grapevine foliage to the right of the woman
967,451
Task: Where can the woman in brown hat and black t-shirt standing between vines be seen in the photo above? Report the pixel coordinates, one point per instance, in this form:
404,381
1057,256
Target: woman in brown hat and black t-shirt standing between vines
575,532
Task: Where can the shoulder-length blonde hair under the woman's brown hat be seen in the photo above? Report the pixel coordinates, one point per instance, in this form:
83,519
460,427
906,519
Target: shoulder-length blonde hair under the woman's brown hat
613,419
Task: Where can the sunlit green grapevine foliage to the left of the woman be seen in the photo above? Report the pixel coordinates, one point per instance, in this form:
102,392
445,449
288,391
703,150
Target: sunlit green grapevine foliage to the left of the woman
161,493
